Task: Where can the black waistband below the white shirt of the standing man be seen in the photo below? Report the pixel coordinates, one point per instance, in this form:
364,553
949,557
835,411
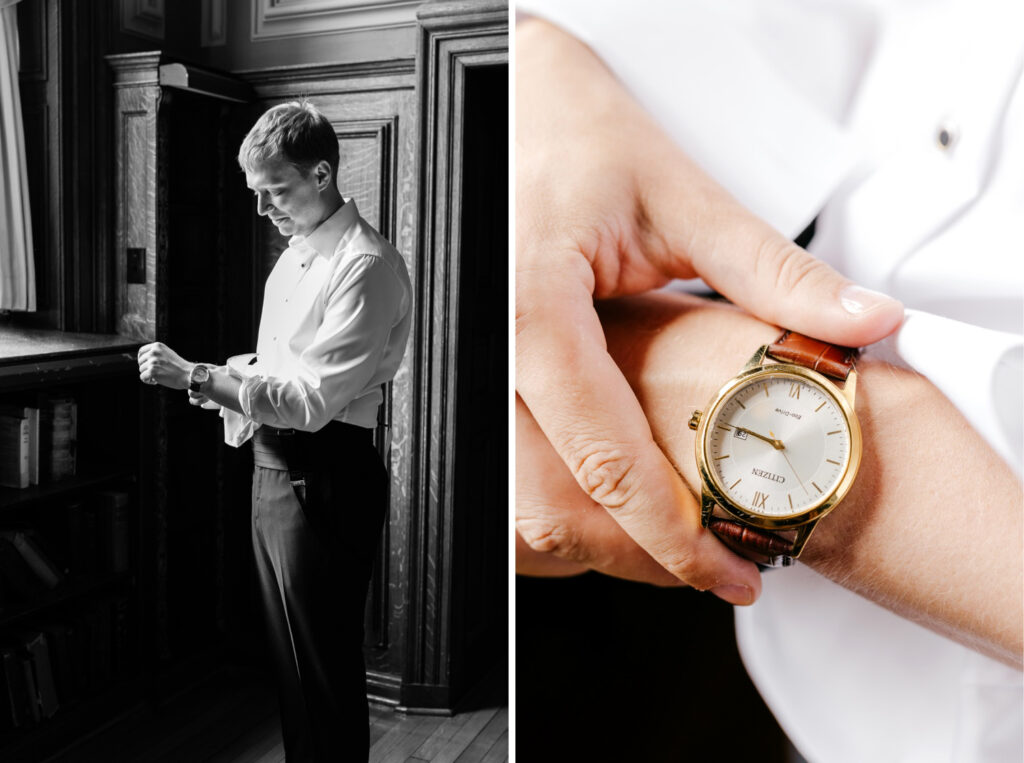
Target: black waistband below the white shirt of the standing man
301,453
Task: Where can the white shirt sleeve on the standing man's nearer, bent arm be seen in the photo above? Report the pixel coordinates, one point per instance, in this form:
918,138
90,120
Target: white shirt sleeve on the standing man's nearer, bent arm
347,350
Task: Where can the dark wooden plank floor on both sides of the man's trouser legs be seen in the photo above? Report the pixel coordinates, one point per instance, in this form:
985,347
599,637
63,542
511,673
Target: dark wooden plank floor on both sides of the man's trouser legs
234,719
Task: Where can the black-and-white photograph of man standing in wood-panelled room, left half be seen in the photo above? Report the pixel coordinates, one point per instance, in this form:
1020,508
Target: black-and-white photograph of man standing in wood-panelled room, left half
254,299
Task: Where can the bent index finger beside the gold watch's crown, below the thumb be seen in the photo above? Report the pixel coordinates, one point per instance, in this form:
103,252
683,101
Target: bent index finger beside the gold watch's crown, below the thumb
591,417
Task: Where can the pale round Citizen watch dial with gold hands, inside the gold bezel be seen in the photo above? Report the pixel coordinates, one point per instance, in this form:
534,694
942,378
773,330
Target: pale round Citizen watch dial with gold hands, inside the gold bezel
779,445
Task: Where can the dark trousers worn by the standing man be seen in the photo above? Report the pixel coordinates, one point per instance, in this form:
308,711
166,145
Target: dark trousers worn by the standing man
315,555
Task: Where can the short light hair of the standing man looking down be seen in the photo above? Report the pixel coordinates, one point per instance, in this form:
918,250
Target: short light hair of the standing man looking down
297,133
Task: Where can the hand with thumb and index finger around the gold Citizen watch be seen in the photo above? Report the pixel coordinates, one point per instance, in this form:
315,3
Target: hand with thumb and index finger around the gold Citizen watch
607,205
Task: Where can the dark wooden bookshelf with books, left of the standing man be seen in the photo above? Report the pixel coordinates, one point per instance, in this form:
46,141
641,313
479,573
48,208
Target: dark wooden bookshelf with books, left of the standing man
73,637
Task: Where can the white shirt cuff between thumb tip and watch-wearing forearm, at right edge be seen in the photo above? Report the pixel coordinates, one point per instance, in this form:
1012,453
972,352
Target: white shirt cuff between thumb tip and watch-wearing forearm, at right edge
979,370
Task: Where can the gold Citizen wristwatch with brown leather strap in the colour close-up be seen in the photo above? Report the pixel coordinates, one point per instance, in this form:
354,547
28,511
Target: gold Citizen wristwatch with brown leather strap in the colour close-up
779,448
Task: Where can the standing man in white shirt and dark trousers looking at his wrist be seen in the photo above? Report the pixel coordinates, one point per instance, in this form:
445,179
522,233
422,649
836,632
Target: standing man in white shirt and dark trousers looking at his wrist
337,313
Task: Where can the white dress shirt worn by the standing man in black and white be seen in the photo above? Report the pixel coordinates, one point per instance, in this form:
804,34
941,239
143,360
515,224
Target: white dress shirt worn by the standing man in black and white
337,313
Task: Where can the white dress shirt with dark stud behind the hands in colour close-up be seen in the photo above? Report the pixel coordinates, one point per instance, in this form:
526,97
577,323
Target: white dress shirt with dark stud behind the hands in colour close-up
900,124
